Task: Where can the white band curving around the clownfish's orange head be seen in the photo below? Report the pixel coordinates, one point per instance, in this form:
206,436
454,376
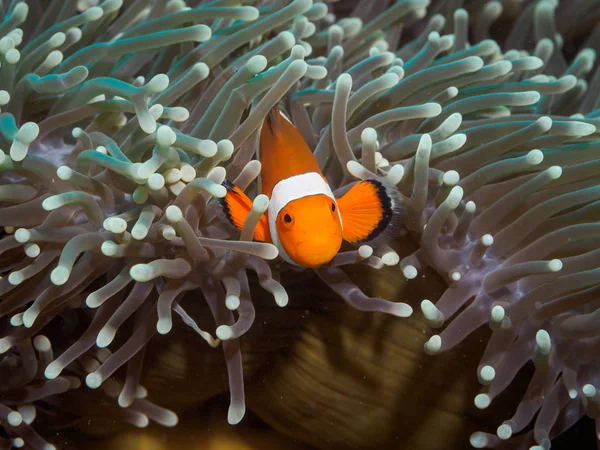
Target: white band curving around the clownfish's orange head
293,188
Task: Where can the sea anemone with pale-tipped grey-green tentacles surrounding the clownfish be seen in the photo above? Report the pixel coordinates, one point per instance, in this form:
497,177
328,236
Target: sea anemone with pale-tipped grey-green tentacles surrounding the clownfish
121,121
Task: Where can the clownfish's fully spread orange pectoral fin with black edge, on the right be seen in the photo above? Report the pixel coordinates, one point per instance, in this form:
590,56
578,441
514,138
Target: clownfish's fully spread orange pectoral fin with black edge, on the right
367,210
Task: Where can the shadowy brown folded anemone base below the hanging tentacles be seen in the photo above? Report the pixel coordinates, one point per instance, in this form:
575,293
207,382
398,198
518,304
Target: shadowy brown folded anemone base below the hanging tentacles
320,373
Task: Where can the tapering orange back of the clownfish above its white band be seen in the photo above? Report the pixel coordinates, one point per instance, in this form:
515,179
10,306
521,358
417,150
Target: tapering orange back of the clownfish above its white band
283,153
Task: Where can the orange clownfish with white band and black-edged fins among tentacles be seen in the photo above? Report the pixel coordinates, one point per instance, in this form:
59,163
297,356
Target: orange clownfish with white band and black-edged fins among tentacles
304,219
